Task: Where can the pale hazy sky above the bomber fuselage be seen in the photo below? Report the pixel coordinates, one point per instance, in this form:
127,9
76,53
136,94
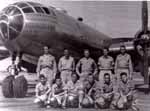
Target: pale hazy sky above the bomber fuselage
113,18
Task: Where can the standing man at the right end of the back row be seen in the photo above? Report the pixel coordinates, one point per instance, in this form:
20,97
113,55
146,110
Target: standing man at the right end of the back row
123,63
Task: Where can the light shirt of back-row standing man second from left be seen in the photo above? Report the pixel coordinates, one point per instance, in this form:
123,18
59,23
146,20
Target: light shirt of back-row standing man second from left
66,64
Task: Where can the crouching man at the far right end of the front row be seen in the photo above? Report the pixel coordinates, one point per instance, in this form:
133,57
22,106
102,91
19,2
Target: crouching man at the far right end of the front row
123,99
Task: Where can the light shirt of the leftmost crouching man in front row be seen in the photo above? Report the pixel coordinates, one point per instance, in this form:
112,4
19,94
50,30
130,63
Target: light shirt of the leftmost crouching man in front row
41,89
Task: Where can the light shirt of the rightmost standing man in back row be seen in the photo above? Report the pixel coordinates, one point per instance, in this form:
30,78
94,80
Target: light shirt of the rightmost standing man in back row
124,62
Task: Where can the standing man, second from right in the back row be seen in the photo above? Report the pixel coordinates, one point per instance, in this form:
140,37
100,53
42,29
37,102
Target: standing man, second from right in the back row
105,64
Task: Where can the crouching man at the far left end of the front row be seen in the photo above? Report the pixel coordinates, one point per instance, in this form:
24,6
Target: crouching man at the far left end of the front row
42,91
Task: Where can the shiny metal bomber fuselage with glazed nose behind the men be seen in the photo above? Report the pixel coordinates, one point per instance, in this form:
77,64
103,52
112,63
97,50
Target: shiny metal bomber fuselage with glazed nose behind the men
25,27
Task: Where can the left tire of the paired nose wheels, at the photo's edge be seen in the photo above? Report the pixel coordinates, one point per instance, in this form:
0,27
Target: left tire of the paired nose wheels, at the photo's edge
7,86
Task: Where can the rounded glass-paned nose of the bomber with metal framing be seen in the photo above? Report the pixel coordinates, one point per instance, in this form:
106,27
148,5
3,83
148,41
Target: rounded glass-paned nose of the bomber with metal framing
11,23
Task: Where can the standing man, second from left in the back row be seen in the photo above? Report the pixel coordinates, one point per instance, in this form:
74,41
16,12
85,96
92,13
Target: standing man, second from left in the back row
66,66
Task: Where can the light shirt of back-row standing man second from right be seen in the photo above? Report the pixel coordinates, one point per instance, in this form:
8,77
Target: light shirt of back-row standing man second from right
105,62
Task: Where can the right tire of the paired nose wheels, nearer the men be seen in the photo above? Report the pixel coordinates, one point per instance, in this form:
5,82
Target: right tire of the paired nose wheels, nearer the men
20,86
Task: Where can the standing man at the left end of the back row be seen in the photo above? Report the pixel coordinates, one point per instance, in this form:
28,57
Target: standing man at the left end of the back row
47,66
